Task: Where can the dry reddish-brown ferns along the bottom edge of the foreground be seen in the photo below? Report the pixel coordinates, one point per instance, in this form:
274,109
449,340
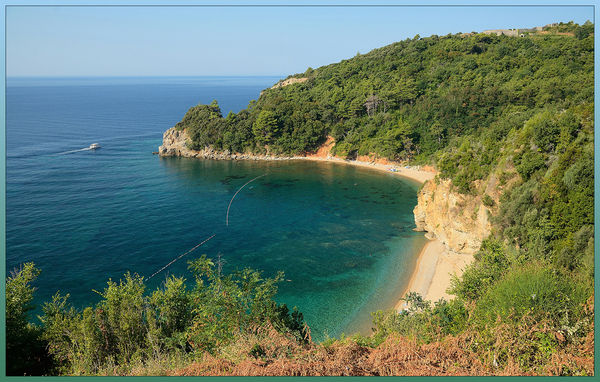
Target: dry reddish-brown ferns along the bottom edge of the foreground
396,356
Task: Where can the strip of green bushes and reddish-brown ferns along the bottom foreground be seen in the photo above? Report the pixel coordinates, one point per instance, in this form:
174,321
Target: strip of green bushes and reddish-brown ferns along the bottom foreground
230,325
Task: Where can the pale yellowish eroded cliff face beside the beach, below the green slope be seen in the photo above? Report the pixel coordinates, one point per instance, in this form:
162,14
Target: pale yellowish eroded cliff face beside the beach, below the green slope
459,221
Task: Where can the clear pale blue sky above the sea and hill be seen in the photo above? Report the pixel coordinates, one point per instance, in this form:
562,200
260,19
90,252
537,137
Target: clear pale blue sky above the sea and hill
187,41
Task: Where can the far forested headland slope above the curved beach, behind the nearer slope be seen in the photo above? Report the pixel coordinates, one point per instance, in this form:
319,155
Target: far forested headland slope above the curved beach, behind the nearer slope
411,99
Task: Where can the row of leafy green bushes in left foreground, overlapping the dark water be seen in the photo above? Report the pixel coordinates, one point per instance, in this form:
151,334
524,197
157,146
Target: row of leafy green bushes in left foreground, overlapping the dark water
128,328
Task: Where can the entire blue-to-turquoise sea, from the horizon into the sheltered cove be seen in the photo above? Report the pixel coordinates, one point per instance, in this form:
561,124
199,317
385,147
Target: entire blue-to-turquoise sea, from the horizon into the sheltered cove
342,234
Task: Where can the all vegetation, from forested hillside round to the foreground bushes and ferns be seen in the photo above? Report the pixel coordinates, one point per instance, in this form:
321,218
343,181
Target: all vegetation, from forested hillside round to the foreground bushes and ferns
513,113
